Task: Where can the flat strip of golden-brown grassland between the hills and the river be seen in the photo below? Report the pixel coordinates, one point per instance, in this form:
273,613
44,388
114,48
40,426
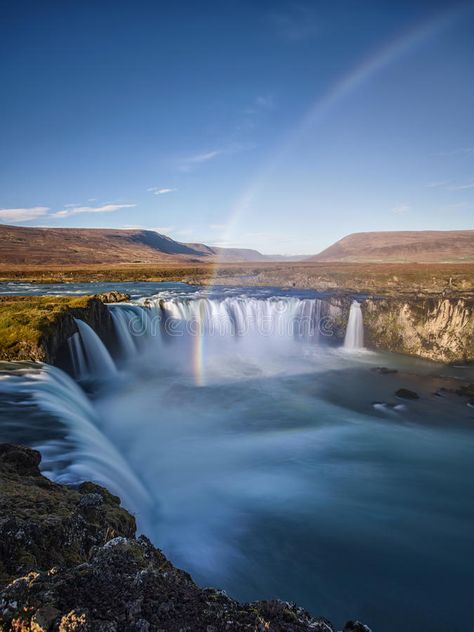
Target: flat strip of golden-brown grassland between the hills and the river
454,280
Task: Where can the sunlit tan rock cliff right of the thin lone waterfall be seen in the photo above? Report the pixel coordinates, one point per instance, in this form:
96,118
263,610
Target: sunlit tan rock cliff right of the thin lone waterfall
437,329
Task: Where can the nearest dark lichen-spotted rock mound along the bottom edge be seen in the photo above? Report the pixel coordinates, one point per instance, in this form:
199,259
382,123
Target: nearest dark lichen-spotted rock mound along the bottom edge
129,585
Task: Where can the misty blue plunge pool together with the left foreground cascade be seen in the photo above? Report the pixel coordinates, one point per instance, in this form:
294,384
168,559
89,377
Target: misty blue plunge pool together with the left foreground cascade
276,476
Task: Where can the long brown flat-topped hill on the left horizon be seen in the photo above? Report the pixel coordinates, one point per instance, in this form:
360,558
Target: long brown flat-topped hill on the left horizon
26,245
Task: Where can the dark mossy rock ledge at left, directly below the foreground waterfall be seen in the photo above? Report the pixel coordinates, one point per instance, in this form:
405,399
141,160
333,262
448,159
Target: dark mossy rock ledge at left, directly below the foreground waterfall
43,524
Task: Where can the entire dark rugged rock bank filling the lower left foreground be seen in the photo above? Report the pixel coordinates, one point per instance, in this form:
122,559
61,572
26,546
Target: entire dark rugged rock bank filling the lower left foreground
70,562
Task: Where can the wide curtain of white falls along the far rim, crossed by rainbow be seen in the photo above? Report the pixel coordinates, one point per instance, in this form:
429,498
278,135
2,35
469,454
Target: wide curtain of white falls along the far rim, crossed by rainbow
147,323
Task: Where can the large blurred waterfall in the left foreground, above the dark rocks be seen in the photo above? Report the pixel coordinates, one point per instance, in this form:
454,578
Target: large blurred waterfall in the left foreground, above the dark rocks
82,451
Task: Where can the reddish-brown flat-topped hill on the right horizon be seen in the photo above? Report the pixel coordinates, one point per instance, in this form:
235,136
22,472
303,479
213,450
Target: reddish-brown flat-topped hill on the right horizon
425,246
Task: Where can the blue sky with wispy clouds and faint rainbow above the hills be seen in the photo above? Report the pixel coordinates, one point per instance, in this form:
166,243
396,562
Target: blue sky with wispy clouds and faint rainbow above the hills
274,125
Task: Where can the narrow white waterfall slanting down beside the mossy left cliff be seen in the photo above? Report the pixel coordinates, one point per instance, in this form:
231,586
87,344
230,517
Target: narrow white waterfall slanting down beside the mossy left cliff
92,352
